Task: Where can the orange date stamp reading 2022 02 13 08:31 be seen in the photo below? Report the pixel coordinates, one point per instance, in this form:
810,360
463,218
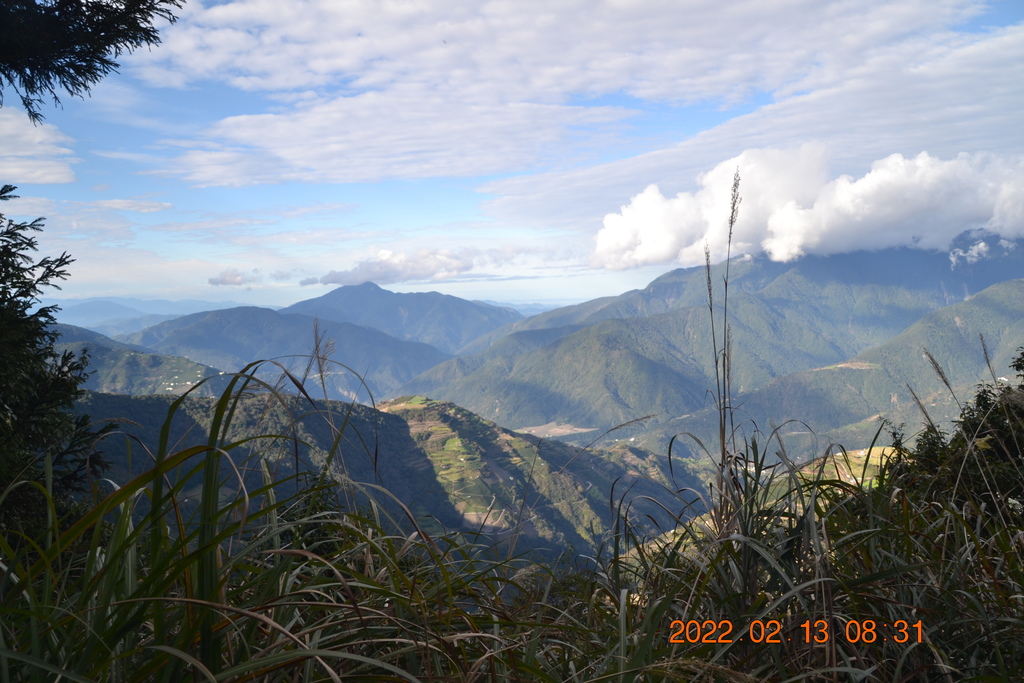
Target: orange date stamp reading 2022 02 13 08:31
818,632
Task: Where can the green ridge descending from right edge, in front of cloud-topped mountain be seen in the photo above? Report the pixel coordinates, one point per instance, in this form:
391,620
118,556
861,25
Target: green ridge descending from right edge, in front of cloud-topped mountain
843,401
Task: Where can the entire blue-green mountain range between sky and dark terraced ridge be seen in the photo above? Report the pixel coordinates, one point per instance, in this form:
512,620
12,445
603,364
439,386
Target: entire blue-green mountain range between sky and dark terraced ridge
833,343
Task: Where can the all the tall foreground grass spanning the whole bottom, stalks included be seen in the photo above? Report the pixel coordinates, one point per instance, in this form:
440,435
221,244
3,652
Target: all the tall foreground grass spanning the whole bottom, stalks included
324,579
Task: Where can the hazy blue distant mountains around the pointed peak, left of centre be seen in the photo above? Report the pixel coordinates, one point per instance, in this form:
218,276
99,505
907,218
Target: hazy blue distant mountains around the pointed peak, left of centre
228,339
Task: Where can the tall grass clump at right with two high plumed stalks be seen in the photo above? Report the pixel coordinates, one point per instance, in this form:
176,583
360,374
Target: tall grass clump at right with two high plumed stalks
855,564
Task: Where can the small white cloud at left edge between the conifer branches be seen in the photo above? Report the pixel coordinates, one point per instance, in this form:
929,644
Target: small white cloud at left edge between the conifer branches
36,154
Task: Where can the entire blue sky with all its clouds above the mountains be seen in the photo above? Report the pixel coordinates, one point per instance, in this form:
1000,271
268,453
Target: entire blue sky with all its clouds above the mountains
522,151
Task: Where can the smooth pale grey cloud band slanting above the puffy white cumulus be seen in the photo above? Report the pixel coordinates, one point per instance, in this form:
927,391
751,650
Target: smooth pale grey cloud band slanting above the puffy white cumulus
952,97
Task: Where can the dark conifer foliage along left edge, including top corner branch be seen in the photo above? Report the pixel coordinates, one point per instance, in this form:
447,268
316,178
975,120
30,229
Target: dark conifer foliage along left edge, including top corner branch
47,47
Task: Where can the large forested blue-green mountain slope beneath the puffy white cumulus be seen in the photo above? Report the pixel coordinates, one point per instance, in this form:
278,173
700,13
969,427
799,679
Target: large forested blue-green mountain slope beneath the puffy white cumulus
651,352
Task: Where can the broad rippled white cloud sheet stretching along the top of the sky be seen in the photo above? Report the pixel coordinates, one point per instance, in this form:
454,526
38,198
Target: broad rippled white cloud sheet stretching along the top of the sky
374,91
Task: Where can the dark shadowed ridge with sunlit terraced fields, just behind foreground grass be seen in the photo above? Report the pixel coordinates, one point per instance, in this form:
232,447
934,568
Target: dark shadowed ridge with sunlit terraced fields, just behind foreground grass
443,462
